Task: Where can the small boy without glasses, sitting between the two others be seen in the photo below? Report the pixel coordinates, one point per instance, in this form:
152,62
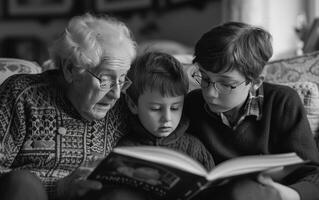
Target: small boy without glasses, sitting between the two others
156,99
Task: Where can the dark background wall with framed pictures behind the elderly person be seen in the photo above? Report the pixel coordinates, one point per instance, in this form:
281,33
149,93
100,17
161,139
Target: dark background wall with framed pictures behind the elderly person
26,34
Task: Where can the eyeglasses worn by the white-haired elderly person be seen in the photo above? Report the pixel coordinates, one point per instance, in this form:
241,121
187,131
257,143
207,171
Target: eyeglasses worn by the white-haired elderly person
107,84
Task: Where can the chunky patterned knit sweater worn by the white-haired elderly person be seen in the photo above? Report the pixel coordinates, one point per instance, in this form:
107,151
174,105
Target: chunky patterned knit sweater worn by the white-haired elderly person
32,109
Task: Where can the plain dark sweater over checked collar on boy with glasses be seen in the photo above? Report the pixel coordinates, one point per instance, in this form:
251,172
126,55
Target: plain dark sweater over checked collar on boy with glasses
282,128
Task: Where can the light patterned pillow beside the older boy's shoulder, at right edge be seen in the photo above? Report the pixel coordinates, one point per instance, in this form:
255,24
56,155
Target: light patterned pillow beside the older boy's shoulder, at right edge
309,94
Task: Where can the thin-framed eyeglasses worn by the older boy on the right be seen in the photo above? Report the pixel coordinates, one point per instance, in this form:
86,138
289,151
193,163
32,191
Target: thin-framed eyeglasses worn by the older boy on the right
219,86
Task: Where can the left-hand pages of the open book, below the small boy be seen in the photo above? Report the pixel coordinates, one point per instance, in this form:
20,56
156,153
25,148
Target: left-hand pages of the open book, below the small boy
164,156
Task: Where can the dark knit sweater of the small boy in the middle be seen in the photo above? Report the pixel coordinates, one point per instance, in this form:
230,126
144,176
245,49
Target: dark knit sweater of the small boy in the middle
177,140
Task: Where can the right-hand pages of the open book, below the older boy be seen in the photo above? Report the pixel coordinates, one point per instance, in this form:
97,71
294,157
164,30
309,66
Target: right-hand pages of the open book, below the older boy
253,163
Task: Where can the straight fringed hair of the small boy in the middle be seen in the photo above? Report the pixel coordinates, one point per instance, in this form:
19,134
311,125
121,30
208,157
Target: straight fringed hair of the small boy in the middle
157,71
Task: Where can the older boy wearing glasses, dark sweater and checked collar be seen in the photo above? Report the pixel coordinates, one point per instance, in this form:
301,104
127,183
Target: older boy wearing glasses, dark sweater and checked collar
235,113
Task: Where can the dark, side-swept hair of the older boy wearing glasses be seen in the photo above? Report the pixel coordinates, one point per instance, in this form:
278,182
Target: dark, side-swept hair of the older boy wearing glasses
234,45
